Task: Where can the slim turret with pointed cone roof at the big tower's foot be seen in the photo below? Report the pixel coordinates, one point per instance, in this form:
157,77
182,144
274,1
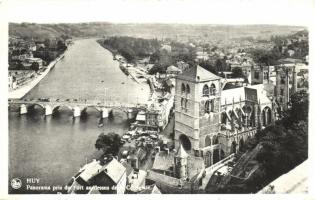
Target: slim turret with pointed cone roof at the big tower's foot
180,161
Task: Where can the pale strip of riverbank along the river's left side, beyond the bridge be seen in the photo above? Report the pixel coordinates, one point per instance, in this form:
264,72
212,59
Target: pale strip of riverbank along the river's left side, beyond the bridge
22,91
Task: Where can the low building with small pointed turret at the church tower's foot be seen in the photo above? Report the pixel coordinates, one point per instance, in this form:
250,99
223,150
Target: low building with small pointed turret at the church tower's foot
176,172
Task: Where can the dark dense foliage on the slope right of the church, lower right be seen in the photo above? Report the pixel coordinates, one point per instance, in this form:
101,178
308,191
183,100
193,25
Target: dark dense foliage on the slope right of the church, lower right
279,148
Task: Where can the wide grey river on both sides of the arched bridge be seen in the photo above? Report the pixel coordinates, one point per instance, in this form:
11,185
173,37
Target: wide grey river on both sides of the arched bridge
53,148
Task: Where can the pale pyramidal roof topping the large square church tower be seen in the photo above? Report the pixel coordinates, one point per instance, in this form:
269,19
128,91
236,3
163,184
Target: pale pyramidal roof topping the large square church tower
197,74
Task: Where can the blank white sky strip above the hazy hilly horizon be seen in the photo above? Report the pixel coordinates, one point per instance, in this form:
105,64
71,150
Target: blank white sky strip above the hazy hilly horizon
295,12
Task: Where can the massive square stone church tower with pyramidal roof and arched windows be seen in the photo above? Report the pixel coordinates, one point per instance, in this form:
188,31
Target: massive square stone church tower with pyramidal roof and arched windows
197,109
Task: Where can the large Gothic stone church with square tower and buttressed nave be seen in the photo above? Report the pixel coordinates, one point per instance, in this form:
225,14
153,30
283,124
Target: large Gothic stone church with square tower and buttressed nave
212,123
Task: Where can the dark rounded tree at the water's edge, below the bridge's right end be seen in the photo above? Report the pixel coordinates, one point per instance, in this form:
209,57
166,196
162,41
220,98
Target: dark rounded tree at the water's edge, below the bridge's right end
109,143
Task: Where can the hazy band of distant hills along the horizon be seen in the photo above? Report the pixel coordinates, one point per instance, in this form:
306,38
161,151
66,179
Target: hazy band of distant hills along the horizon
174,31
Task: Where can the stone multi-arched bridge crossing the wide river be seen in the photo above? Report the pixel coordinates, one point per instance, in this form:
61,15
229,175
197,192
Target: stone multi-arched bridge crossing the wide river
76,106
